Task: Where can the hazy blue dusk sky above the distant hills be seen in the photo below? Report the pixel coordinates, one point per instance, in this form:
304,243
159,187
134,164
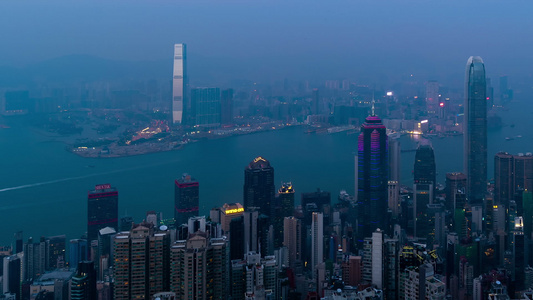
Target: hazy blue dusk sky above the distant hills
282,38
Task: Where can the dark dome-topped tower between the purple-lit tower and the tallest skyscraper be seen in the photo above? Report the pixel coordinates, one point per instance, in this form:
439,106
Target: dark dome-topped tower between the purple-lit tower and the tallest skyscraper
424,168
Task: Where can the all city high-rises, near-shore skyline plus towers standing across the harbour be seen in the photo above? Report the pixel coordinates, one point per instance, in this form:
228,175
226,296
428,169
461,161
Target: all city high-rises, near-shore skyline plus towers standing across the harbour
471,239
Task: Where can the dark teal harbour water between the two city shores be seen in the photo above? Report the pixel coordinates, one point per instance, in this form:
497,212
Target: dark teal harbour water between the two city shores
43,188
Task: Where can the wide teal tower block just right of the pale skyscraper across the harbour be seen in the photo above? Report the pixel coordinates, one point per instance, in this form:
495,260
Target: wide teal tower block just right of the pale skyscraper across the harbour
205,103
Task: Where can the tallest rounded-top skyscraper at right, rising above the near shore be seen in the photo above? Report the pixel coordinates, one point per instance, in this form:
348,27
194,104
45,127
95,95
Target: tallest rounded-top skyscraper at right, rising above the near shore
475,130
